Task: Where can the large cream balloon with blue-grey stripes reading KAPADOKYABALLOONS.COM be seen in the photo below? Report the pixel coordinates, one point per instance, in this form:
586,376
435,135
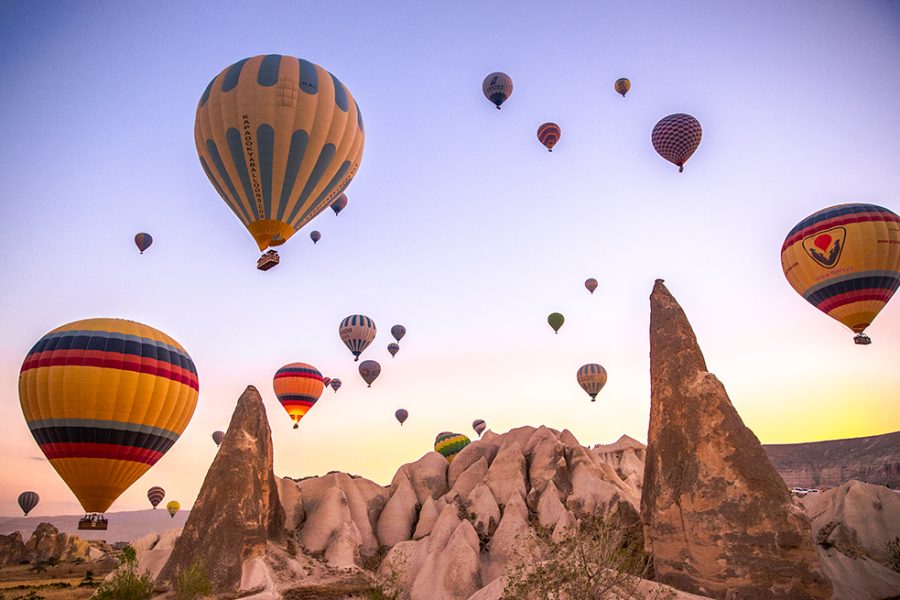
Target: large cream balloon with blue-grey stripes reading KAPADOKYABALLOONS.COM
279,139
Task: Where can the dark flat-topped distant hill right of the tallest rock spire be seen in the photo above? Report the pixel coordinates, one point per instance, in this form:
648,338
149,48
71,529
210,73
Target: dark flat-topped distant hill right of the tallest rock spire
874,459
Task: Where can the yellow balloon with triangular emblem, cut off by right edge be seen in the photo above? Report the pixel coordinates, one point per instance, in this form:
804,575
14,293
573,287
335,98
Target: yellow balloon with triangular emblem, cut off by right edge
845,261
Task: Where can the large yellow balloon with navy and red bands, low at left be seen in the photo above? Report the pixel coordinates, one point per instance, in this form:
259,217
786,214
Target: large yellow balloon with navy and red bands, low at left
105,399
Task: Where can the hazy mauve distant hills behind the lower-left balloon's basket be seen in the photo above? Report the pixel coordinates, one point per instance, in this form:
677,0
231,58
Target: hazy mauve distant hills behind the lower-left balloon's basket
123,526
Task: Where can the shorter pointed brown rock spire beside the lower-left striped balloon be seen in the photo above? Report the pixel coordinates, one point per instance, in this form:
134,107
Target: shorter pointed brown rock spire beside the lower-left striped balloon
238,508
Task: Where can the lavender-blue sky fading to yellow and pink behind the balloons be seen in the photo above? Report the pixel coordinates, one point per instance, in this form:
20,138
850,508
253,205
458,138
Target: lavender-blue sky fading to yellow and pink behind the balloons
460,225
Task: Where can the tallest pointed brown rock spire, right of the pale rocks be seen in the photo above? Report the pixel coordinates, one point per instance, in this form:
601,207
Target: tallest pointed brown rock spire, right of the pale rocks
718,518
